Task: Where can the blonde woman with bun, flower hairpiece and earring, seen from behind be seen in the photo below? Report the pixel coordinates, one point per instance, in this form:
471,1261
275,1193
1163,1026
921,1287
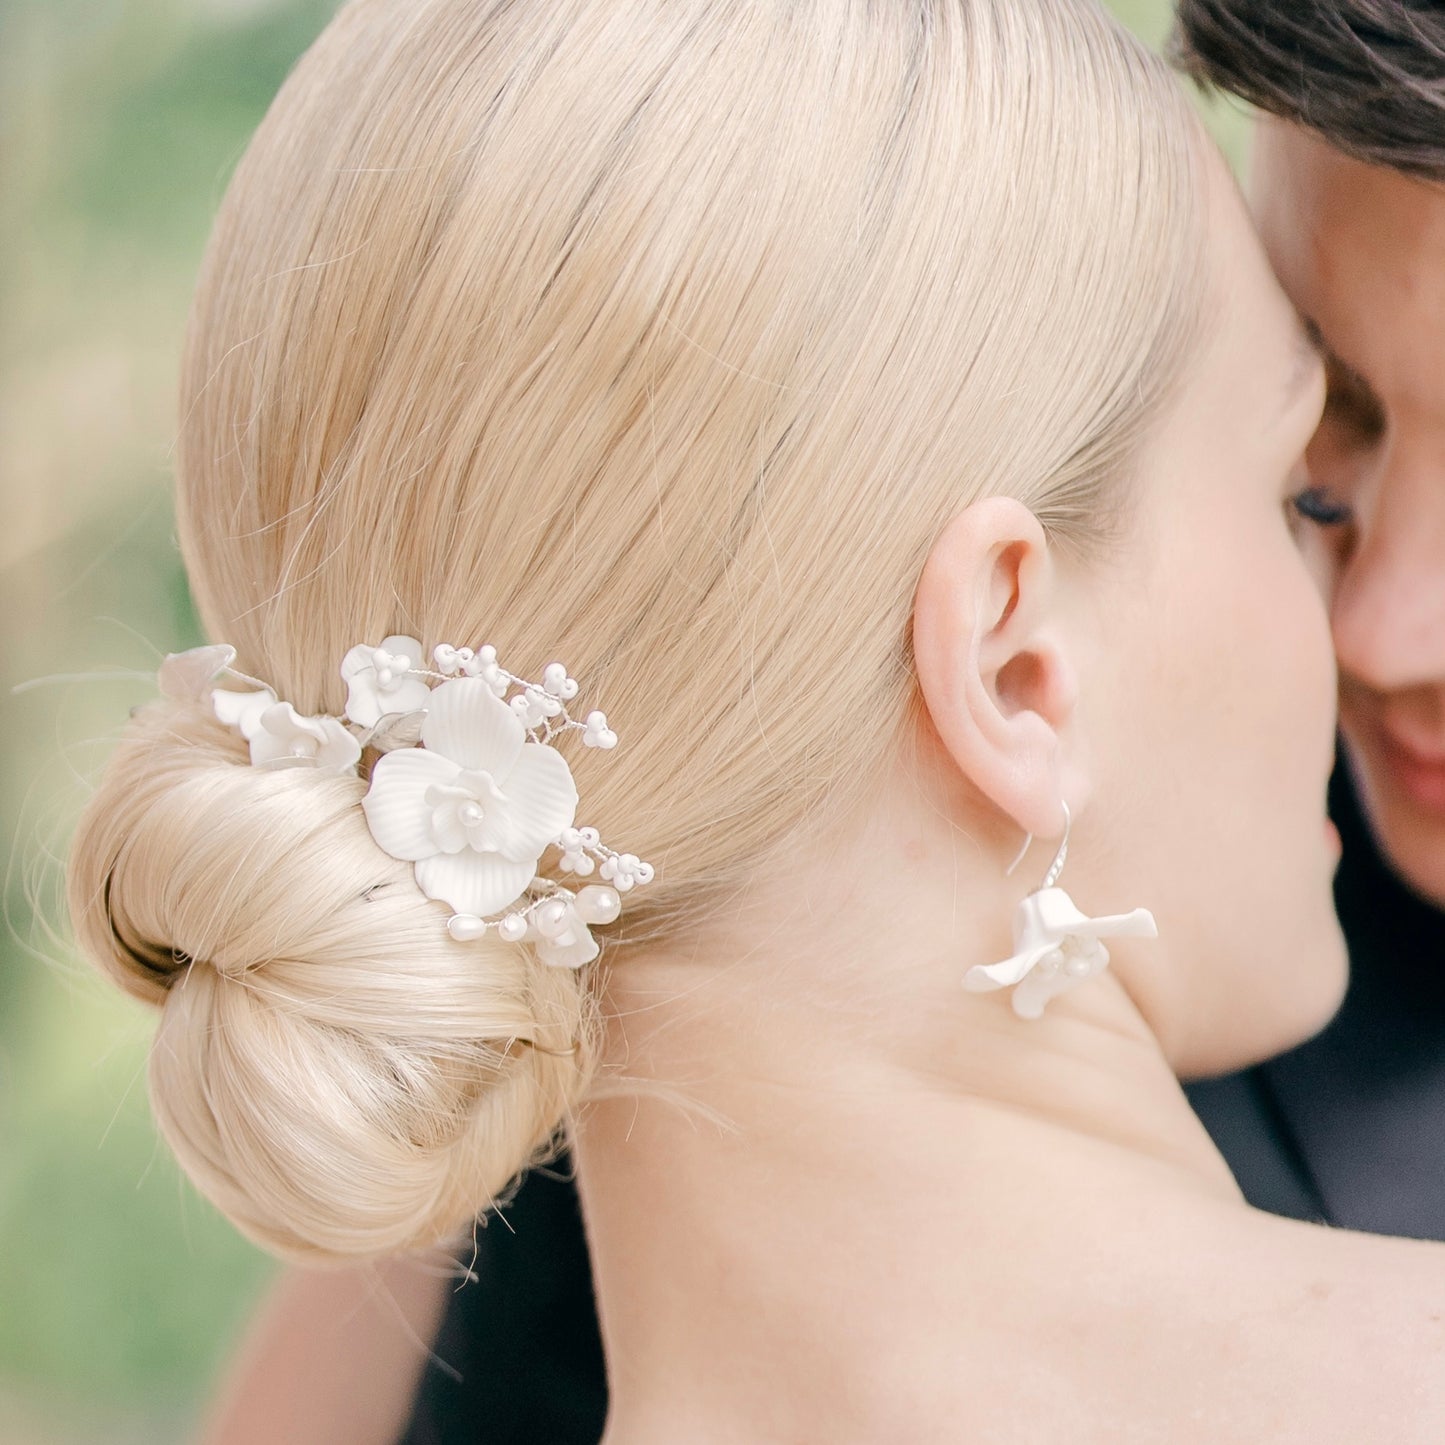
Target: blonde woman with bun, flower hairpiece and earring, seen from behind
888,415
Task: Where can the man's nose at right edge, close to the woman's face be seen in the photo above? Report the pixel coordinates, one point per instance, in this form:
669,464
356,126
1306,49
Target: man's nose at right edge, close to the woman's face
1389,605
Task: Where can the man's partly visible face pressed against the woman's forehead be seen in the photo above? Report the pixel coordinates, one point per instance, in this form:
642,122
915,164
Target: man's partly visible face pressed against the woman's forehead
1362,252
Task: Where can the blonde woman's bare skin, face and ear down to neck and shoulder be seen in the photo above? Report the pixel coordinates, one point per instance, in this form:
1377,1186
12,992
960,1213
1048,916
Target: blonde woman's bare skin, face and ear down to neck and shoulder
892,1212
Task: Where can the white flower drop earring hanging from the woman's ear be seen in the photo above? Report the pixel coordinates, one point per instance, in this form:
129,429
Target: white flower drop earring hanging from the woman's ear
1056,946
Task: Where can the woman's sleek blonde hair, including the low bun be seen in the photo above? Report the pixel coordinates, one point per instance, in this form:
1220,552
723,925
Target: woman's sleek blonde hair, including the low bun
661,336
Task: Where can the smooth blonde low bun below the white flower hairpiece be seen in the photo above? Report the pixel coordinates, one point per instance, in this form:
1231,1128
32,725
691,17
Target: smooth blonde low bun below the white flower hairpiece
335,1073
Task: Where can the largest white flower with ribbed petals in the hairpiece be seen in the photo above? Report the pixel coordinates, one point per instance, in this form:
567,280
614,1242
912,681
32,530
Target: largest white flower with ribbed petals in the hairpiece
476,804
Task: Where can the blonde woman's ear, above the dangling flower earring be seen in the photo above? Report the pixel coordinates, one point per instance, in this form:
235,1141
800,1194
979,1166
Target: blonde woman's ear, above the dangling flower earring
991,661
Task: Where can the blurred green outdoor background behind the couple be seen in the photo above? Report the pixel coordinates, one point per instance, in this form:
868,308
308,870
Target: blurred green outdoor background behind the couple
121,1290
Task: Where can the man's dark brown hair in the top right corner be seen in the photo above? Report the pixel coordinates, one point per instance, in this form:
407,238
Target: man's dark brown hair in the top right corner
1369,76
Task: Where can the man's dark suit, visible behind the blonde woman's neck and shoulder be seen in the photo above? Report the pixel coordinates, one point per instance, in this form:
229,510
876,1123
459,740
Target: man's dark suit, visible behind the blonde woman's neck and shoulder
1347,1129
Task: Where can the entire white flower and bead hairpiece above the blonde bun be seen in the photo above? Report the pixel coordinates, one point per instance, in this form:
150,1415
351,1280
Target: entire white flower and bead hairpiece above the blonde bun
469,788
